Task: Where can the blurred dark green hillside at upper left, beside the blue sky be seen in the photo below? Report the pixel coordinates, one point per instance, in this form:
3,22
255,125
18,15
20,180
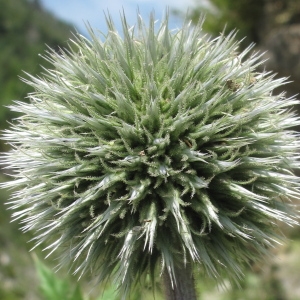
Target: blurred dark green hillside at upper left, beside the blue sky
25,31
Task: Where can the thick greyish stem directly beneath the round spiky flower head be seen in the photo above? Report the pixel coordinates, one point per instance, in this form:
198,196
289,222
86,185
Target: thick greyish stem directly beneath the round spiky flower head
184,288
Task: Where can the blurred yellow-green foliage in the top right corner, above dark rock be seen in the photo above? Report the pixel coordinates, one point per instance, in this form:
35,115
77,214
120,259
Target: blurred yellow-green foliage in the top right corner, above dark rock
252,18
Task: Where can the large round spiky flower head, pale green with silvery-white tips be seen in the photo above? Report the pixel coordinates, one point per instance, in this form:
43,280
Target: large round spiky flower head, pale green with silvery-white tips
142,151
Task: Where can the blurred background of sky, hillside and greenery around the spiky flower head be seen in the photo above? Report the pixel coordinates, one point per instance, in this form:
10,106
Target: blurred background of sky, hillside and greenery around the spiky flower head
28,27
